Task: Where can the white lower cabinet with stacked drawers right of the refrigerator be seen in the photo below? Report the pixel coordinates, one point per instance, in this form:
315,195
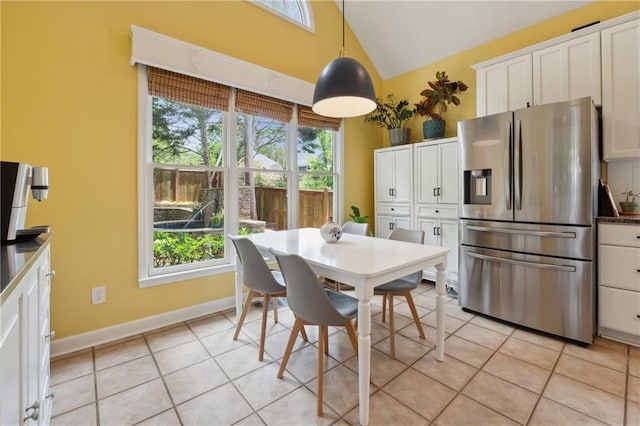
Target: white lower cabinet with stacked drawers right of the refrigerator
619,282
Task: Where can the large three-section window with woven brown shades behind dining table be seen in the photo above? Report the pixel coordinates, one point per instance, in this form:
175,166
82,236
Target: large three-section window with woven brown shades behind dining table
202,177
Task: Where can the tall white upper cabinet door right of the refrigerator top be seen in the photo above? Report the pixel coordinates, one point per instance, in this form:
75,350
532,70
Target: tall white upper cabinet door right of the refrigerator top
621,91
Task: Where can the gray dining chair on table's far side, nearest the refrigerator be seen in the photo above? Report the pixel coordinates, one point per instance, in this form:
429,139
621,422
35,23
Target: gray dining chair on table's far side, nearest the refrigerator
401,287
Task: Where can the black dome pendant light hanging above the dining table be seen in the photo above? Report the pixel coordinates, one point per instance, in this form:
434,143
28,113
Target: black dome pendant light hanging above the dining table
344,88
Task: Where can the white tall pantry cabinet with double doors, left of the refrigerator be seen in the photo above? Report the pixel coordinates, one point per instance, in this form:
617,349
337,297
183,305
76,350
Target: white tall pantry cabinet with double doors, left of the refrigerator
416,187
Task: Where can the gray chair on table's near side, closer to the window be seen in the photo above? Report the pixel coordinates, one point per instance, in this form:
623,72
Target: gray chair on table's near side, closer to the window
262,282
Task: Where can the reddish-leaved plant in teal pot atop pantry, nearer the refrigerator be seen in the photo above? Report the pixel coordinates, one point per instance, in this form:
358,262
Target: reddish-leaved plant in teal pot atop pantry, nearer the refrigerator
436,97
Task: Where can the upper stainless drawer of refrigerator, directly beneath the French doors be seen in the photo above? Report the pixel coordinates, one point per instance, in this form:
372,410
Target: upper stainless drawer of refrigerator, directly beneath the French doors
576,242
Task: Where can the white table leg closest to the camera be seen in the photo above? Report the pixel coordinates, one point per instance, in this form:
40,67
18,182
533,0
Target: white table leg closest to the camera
364,352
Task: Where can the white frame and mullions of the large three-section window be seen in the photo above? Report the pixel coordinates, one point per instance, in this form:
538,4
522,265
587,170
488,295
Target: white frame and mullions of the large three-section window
149,276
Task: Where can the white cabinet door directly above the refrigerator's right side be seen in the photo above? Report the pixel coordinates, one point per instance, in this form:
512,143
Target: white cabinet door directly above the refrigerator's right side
568,70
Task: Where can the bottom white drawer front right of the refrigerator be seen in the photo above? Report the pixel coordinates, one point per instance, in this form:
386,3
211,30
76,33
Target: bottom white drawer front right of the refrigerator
620,310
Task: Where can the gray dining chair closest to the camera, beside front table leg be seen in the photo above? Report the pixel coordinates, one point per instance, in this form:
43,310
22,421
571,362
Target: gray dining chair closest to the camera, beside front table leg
312,304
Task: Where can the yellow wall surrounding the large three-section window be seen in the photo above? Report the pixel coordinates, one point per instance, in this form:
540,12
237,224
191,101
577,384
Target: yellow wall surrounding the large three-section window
70,103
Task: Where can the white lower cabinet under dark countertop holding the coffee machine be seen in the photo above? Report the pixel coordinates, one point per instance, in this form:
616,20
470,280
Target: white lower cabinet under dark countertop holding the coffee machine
25,397
